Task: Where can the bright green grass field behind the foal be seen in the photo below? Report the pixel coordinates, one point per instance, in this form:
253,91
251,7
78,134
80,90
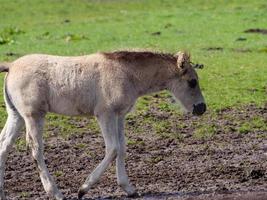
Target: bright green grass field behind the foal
235,70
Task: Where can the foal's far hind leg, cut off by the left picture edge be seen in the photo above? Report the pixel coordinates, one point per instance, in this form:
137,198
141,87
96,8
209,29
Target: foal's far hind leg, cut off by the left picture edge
8,135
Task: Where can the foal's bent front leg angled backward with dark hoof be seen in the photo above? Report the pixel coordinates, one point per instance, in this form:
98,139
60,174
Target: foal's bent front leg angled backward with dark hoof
108,125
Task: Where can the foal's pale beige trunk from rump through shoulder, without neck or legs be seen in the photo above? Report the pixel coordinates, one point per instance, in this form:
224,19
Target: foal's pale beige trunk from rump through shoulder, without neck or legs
67,85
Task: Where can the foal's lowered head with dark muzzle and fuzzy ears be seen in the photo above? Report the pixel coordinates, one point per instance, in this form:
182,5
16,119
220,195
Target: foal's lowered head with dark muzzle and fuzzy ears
185,85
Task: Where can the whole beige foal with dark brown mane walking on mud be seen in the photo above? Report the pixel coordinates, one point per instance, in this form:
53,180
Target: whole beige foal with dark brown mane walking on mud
105,85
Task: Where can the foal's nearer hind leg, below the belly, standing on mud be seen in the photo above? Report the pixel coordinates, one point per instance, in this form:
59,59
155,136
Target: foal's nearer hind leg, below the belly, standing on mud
34,126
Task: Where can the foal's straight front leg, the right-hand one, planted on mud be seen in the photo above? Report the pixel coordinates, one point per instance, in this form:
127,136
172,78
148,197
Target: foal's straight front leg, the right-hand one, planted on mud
122,176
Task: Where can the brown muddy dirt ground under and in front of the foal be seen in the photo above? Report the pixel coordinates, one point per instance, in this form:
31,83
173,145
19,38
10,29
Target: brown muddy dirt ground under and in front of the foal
229,165
